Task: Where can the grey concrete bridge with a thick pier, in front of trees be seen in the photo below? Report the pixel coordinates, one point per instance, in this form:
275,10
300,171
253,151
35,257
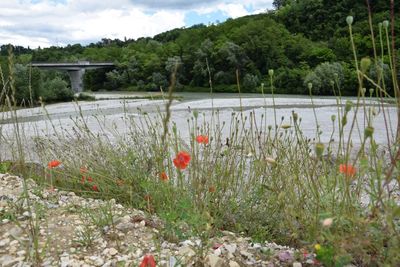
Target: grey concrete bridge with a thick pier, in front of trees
75,70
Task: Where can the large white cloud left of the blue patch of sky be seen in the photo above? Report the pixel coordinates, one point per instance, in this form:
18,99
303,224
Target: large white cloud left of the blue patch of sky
45,23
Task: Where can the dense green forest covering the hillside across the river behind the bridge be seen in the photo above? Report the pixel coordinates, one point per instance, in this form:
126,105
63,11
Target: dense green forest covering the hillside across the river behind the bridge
303,41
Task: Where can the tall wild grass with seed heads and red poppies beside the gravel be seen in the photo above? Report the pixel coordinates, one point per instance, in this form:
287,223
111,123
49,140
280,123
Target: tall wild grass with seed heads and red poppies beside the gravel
270,182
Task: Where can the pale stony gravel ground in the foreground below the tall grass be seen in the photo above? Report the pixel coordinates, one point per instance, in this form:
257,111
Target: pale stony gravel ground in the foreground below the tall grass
59,228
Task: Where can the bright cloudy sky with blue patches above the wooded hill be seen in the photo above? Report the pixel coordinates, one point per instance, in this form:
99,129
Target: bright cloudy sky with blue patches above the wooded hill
47,23
